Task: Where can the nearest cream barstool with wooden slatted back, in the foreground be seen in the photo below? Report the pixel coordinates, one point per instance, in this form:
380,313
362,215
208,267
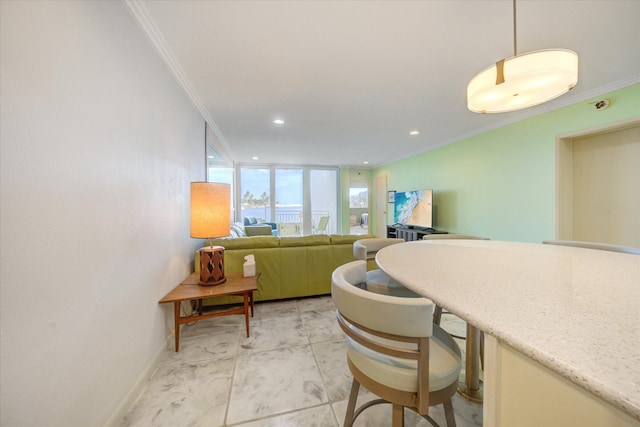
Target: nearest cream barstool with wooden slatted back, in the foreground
394,349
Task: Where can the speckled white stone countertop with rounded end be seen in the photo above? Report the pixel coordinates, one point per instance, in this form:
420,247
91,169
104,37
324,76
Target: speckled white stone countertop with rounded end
575,311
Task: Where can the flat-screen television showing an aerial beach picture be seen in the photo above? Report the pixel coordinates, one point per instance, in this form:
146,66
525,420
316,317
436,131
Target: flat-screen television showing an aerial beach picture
413,208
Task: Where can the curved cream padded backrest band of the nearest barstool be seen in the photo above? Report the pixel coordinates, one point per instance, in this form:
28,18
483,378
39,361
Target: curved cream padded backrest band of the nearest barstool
412,317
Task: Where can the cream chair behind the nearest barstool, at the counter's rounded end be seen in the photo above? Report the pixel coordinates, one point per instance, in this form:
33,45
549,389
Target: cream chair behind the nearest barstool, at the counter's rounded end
377,280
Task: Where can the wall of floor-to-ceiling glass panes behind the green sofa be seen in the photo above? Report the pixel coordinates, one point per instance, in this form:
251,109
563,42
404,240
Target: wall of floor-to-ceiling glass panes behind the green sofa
300,200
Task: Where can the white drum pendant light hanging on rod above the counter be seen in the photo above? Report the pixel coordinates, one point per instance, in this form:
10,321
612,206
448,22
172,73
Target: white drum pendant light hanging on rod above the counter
524,80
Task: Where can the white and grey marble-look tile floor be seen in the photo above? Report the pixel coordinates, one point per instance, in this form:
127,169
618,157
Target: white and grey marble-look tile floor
292,371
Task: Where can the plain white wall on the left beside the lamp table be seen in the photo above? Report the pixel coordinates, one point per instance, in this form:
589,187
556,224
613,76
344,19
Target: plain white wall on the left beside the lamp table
98,146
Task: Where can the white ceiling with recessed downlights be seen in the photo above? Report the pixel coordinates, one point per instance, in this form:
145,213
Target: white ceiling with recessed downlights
352,78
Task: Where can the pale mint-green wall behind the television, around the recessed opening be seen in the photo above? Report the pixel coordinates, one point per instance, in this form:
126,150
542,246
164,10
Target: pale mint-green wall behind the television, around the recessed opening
501,184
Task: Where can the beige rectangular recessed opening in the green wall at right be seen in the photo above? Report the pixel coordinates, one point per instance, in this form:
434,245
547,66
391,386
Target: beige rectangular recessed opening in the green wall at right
597,172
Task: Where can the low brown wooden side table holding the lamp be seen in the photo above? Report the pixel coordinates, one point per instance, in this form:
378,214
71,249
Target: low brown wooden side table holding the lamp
189,290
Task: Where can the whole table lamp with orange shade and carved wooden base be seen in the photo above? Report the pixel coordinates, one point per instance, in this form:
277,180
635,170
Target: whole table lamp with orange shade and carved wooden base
210,217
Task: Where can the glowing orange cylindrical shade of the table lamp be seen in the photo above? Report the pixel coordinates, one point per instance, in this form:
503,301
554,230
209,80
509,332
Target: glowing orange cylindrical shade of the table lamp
210,210
